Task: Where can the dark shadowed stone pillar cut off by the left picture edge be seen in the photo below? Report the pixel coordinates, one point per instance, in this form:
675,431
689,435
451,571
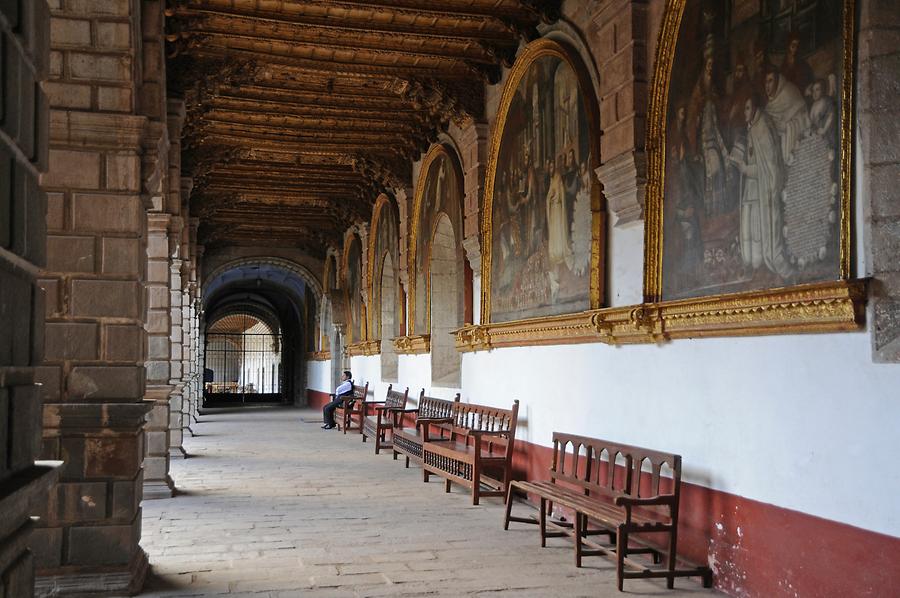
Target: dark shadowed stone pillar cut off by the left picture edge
24,482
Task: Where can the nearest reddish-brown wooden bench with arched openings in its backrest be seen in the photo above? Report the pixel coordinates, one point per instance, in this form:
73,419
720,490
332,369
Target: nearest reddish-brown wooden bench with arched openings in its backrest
622,492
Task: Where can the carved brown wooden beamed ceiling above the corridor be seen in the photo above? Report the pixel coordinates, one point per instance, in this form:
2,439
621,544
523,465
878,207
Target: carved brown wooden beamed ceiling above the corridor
301,111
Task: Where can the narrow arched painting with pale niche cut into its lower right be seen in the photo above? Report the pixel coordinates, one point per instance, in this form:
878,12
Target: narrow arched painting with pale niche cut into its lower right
438,191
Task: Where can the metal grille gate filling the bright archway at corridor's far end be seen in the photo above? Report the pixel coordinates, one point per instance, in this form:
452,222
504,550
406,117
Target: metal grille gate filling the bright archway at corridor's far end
243,360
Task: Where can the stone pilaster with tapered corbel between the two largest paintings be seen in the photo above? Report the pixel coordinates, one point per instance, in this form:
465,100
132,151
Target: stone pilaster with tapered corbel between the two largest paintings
618,35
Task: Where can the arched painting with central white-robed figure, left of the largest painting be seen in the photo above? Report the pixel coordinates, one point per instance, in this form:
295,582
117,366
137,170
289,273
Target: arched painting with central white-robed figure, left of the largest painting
542,190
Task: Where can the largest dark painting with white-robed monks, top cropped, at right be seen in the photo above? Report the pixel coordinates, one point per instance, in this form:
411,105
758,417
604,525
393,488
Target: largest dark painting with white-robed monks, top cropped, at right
755,188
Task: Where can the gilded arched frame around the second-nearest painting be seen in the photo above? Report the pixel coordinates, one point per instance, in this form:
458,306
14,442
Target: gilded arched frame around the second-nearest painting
534,52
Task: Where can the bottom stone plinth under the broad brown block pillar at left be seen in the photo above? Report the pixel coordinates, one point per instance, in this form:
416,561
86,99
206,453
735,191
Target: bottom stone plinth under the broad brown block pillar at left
75,582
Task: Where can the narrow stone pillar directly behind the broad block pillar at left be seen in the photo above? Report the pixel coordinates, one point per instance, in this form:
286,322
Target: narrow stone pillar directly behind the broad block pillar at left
157,481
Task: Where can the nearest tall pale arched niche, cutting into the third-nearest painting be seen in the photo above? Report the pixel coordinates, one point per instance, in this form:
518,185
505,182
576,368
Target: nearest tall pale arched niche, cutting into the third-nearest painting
445,283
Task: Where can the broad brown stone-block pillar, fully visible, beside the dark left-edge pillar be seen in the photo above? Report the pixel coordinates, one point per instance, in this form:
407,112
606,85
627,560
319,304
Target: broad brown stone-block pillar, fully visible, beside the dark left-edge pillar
94,377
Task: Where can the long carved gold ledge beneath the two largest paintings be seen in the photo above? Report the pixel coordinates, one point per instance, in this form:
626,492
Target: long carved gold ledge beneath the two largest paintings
822,307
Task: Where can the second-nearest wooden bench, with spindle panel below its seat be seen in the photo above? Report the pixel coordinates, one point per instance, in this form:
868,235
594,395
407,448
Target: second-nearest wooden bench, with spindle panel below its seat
477,452
